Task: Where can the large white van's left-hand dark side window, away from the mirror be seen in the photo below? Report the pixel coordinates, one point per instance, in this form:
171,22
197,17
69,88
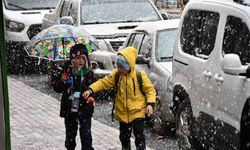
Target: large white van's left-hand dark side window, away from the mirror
199,32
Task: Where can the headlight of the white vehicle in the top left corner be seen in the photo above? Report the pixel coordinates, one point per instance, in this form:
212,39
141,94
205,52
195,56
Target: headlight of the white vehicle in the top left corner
14,26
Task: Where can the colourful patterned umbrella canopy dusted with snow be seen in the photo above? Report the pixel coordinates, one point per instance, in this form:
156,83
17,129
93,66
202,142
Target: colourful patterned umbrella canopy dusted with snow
55,42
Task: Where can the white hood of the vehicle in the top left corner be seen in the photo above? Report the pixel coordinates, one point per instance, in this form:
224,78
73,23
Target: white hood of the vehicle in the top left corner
26,17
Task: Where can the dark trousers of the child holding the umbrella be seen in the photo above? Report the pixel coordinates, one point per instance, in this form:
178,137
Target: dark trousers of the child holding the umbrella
71,124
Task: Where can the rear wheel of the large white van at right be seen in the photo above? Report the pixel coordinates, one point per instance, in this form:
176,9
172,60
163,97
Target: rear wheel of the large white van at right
183,128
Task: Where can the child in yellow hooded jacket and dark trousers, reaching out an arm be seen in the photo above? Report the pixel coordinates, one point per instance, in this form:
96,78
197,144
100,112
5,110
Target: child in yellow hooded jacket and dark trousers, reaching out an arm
130,104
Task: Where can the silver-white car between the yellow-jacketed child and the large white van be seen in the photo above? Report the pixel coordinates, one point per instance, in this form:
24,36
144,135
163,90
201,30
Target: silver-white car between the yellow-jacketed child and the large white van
155,42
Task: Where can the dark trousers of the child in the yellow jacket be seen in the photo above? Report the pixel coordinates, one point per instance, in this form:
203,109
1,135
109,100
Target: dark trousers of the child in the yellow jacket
138,129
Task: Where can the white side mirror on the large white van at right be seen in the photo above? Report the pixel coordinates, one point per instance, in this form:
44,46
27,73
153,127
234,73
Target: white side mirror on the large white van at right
231,64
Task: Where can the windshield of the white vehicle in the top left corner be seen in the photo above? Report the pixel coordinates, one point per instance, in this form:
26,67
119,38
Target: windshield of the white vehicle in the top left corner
30,4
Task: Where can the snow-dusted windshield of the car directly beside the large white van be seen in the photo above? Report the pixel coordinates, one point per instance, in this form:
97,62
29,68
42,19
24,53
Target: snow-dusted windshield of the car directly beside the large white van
165,40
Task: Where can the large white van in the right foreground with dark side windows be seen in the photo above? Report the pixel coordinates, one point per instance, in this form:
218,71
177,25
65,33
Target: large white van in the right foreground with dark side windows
211,91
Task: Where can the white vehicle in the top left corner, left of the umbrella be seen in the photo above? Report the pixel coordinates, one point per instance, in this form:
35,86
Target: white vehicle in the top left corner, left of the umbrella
22,21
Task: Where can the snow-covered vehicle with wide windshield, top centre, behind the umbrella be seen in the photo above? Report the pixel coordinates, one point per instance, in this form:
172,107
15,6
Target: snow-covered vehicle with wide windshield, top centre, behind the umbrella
108,21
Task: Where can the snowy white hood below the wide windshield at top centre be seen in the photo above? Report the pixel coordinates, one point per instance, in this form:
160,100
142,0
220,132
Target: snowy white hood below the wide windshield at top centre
114,29
